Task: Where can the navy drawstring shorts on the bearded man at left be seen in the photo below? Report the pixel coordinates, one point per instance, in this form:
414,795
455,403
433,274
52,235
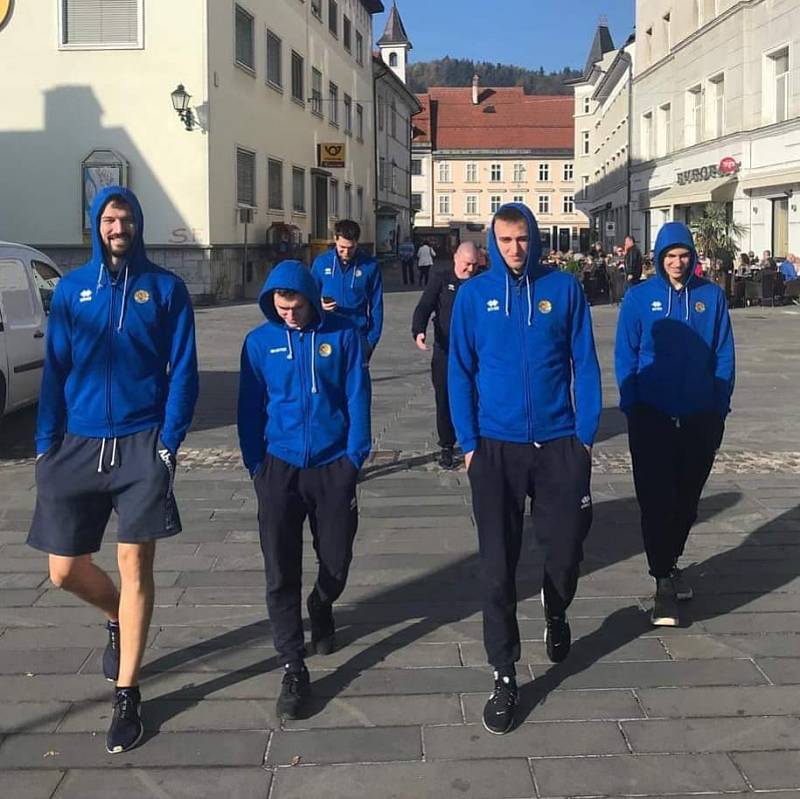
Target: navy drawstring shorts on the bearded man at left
81,480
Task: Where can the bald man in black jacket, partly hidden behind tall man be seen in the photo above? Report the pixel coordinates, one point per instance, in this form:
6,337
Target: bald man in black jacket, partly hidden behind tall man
437,299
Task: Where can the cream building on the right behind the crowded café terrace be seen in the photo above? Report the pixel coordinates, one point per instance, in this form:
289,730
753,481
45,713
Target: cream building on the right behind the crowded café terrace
716,117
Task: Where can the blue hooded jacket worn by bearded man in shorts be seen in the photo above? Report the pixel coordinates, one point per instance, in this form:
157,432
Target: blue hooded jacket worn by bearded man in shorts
120,353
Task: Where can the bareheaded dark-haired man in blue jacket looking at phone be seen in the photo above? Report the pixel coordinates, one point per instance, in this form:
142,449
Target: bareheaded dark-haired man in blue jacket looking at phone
350,283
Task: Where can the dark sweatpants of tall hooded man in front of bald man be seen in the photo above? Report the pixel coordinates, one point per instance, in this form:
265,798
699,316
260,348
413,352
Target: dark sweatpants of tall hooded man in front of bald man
556,475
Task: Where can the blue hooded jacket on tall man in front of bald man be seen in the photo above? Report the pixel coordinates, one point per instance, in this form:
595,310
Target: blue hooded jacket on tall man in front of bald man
522,364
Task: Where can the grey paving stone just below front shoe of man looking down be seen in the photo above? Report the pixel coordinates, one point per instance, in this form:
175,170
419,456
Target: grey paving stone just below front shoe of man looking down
346,745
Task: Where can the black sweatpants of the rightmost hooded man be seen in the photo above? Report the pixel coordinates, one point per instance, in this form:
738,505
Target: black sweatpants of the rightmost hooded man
672,459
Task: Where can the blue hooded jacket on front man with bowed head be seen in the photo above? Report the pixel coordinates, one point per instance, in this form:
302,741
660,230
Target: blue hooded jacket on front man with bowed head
304,395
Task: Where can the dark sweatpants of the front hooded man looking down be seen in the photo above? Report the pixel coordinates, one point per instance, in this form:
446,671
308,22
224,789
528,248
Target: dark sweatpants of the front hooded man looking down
286,496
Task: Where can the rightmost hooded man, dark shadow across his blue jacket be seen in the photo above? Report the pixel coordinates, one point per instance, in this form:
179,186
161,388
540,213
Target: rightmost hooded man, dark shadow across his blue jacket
675,370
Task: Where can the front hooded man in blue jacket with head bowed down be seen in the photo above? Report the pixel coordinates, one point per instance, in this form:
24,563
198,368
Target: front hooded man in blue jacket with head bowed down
304,431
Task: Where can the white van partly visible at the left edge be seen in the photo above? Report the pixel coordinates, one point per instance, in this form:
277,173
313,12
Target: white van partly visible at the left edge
27,281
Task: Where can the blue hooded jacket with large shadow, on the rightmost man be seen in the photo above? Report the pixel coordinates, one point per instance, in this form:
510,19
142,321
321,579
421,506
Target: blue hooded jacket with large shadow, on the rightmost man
674,349
